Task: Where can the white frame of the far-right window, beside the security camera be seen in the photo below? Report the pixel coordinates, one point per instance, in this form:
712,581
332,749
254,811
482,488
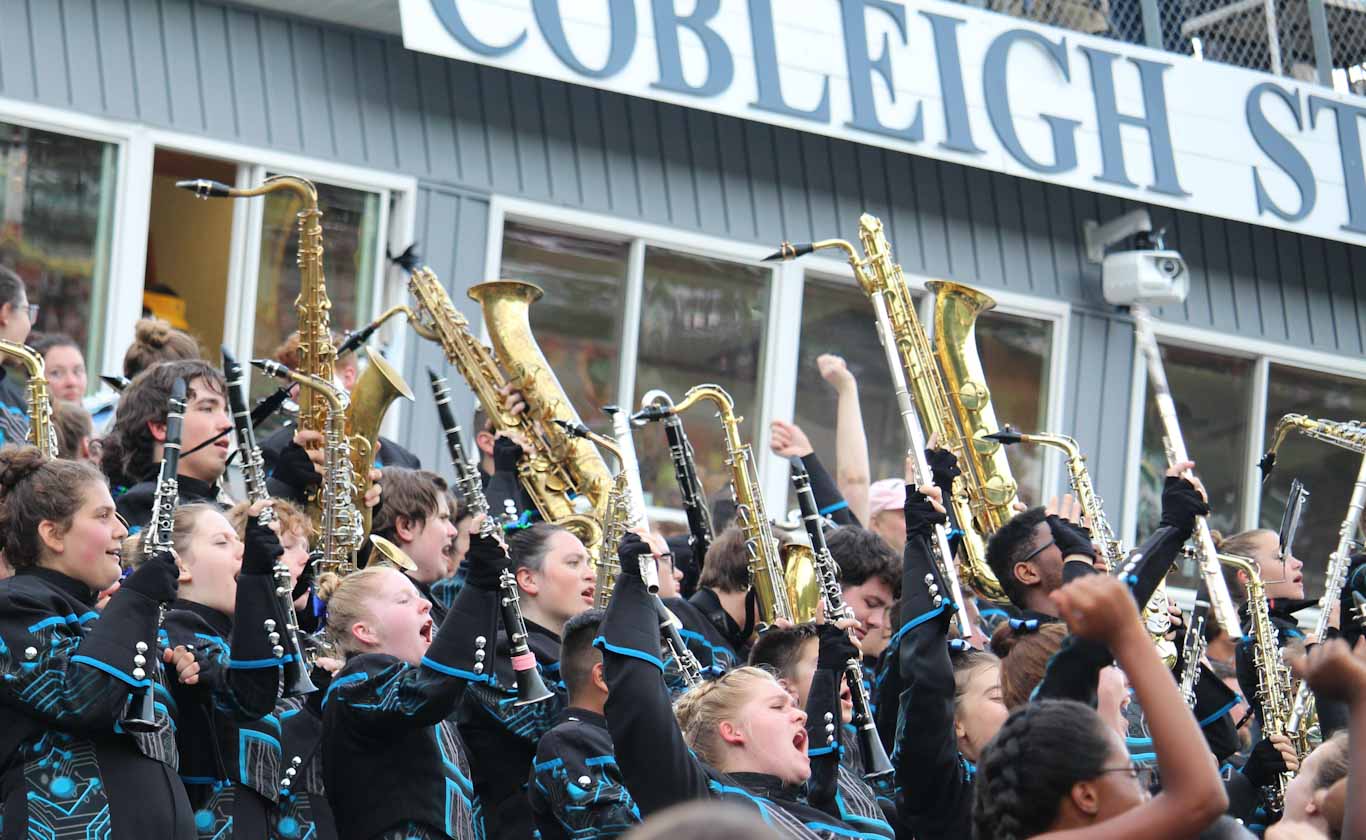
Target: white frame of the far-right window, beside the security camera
1263,354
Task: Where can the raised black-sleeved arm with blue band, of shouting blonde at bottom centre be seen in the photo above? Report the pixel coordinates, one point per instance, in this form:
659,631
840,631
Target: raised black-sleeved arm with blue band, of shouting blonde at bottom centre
656,764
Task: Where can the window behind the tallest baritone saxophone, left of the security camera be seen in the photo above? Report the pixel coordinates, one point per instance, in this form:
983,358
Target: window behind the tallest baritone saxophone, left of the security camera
1016,354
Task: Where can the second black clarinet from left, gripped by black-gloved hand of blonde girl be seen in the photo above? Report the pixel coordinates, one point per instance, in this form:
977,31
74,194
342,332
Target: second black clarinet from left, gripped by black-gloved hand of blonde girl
297,682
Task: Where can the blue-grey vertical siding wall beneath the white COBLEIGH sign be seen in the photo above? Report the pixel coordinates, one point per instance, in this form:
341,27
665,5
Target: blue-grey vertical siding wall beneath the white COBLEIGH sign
466,132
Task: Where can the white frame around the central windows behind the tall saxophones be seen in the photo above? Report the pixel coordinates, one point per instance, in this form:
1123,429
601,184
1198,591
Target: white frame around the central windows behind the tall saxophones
782,337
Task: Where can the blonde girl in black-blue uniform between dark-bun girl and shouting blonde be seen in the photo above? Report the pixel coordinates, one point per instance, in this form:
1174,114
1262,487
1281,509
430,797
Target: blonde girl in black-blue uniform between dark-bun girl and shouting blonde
226,611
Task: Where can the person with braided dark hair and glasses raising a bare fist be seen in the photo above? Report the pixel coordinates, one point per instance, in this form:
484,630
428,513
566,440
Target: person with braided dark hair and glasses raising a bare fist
1055,770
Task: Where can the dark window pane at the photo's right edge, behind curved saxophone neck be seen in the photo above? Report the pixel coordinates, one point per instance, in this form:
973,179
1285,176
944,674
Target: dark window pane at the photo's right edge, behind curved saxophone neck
1328,472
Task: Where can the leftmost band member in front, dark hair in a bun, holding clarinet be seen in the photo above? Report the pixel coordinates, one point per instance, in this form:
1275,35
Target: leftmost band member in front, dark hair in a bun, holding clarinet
66,671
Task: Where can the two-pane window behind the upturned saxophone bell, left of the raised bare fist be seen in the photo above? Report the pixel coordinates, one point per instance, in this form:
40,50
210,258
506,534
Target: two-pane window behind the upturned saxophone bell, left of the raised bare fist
699,320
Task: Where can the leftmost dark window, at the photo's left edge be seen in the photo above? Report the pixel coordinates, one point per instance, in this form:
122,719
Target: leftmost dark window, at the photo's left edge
57,216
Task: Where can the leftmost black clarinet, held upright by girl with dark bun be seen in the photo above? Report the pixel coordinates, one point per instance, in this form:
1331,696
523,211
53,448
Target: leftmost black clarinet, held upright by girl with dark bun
141,714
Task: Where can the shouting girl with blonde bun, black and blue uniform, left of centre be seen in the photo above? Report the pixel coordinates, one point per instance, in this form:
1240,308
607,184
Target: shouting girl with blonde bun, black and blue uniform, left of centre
394,763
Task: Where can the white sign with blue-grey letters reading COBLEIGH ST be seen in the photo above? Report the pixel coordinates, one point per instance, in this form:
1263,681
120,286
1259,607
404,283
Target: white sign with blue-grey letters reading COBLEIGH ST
957,84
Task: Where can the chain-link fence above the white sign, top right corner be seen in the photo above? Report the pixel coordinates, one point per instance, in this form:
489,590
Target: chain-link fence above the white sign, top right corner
1311,40
